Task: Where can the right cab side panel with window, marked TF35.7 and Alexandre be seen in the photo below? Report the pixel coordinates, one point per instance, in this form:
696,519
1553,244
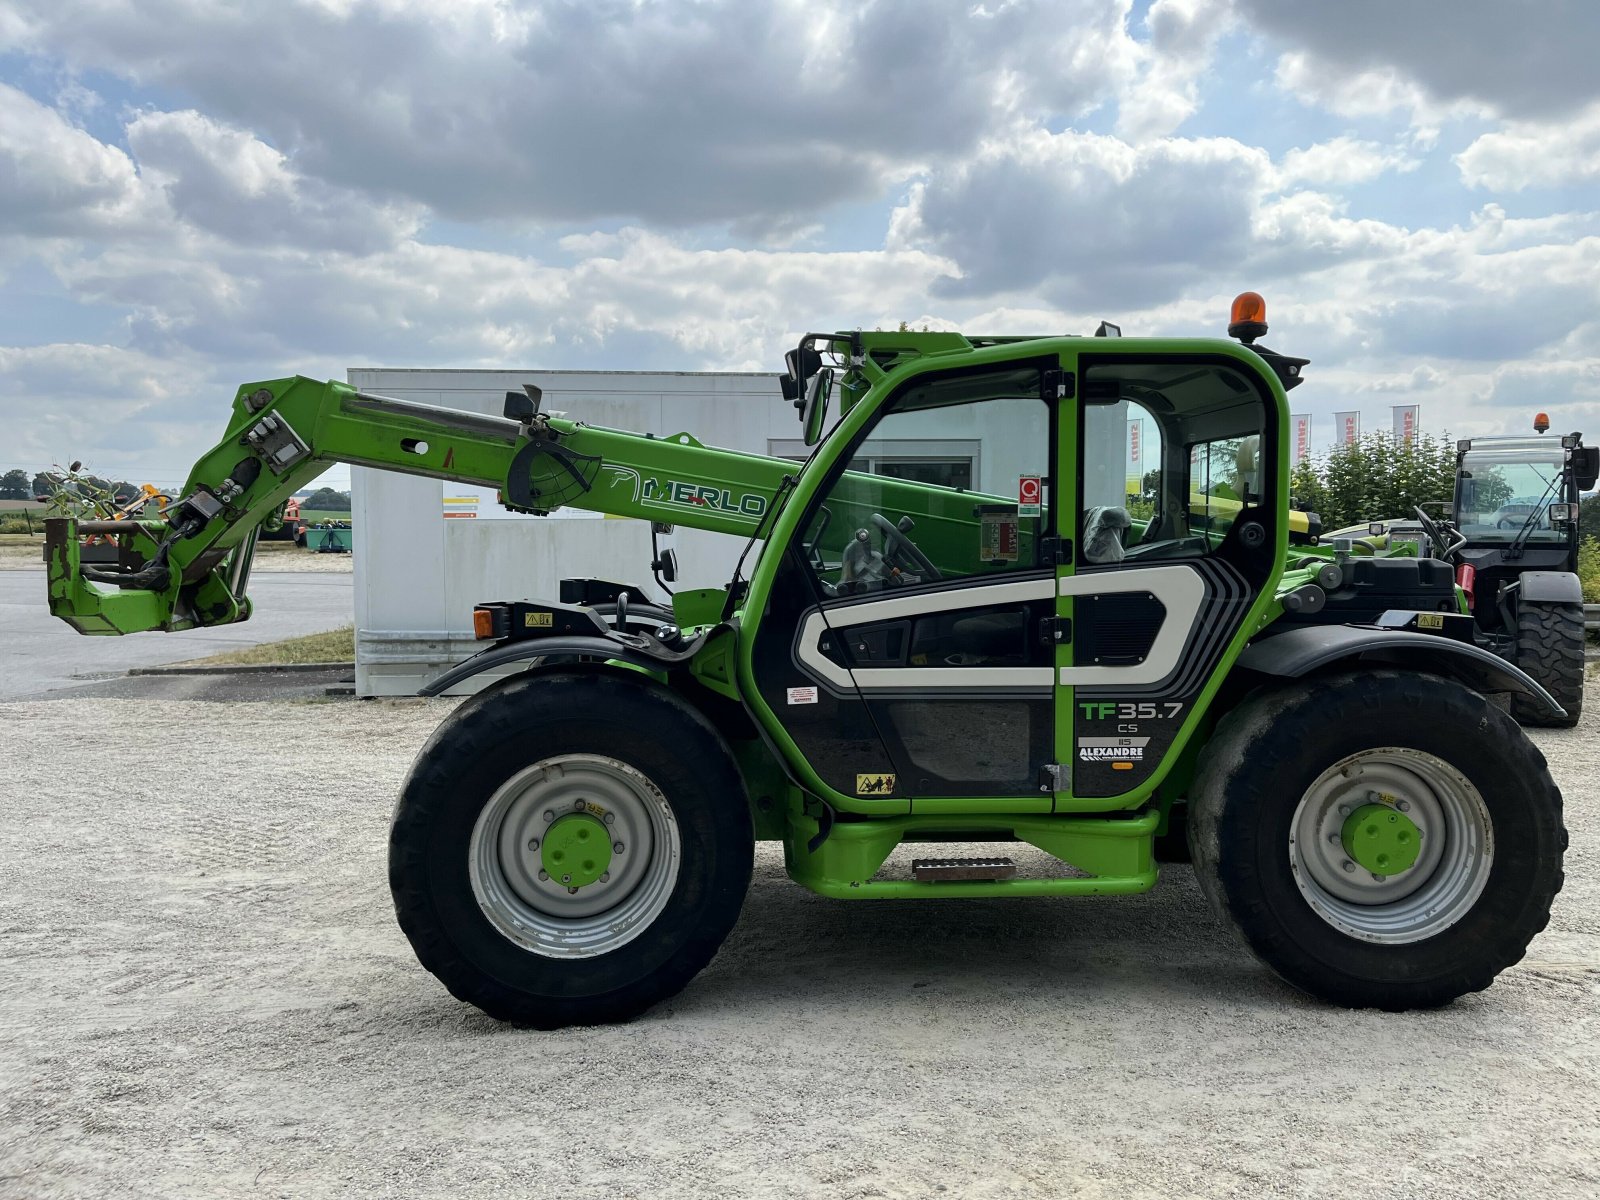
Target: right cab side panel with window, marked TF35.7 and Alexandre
1178,498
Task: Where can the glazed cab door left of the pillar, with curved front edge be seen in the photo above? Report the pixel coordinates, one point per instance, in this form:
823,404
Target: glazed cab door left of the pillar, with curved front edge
926,652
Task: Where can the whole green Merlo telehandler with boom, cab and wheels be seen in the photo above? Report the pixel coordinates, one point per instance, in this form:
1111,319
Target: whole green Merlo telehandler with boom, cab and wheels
913,662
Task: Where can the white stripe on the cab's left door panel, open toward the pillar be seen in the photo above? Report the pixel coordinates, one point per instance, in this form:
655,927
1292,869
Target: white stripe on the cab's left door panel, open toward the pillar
895,609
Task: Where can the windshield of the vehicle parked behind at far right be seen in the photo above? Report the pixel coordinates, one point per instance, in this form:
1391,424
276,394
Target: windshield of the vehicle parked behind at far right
1506,487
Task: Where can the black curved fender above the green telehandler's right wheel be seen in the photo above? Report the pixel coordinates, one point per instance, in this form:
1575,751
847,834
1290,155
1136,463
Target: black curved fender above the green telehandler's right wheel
1310,649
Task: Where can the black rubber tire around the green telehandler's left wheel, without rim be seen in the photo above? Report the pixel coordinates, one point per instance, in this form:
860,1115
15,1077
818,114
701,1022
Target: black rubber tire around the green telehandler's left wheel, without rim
503,732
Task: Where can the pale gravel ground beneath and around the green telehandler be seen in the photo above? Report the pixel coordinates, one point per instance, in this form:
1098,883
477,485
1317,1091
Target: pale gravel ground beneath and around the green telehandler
204,993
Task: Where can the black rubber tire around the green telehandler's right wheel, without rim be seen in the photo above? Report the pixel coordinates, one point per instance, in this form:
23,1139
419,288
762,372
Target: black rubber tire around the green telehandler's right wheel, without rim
1268,753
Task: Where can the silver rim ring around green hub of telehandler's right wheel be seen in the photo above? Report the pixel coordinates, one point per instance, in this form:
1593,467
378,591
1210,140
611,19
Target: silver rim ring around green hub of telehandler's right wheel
1438,890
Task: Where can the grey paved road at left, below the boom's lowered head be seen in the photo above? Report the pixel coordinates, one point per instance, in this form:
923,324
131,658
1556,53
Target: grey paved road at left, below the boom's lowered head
41,655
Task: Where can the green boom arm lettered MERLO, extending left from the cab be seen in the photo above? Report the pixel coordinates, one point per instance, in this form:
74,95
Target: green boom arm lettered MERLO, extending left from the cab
193,567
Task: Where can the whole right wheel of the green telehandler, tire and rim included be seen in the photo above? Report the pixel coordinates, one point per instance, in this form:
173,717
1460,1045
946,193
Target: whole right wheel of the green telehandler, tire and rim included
1380,839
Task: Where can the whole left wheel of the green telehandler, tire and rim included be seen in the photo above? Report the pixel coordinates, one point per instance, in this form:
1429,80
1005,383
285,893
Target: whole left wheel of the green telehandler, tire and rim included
570,849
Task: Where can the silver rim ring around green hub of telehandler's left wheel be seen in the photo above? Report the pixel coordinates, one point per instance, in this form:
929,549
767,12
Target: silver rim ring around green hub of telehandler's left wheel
543,914
